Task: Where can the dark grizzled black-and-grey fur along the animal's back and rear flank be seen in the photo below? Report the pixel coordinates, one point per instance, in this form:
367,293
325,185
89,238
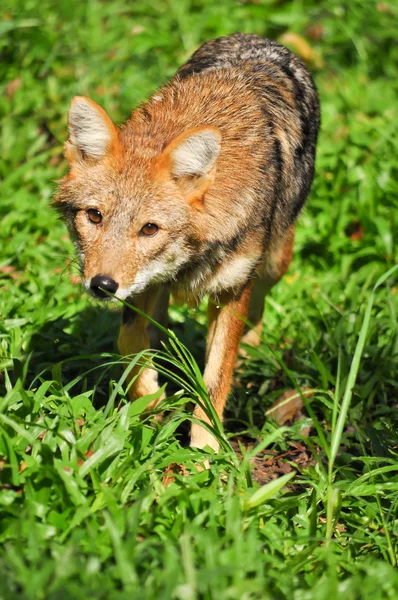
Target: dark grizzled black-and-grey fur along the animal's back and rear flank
272,68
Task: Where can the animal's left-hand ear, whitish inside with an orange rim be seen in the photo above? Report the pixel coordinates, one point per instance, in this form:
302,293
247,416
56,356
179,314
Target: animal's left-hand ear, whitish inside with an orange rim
91,131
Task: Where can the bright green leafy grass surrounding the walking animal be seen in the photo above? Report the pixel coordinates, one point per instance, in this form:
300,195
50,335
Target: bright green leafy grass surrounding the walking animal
84,512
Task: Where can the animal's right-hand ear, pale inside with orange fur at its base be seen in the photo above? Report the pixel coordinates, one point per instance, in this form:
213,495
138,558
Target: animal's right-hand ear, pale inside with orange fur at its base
190,159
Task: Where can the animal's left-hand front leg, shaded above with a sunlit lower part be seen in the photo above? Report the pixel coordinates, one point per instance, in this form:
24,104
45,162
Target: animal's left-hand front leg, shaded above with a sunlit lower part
134,338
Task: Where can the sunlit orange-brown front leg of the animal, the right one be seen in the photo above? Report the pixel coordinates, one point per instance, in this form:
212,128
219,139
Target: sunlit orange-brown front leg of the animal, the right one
226,323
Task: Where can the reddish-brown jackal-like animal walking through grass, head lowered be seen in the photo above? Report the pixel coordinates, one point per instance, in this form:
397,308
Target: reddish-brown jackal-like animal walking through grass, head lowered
196,194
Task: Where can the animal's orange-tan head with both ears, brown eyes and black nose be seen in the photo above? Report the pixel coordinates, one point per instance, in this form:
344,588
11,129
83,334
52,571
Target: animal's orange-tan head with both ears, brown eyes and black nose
131,202
